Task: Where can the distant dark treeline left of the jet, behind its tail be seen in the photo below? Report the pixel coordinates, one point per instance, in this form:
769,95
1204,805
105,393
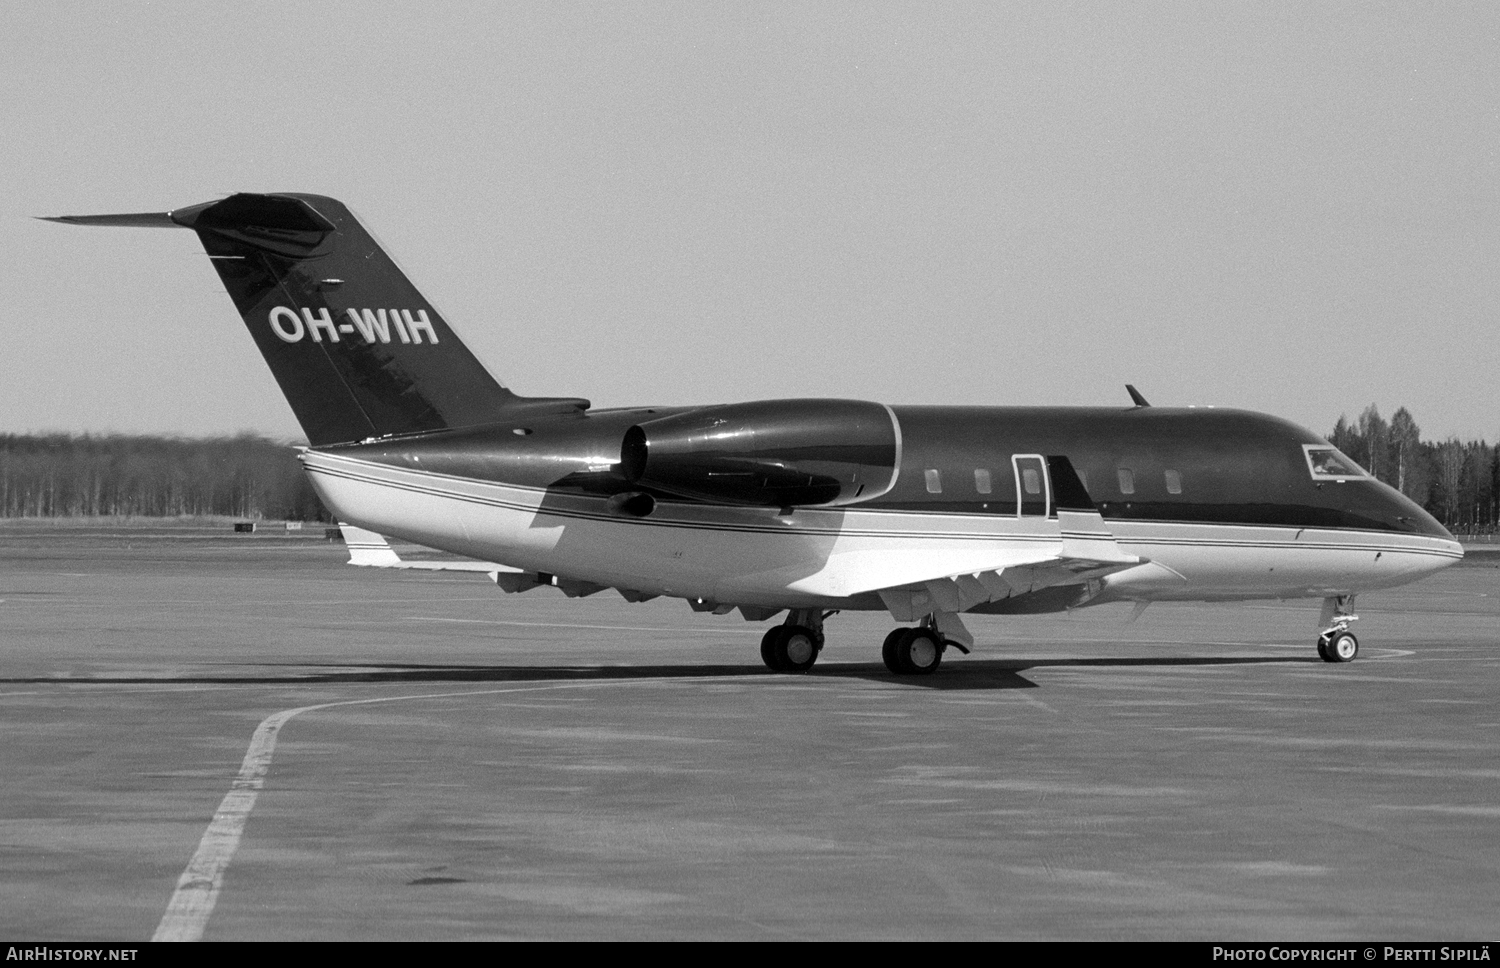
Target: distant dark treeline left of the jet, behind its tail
64,476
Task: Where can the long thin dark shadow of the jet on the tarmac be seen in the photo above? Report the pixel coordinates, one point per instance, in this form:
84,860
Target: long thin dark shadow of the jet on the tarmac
967,676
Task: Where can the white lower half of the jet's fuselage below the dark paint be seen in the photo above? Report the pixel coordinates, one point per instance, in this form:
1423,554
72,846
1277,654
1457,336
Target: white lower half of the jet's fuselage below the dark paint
835,558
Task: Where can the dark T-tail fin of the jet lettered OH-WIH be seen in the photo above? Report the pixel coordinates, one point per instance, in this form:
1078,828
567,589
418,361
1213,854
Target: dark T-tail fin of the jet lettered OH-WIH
353,344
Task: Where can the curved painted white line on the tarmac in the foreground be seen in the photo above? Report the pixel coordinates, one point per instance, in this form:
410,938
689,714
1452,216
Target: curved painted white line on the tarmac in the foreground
199,888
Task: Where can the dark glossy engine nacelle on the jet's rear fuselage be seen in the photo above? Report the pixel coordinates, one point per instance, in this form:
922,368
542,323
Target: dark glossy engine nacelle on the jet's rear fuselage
772,454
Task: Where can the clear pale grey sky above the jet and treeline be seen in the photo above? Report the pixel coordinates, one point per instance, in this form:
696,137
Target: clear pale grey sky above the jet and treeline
1286,208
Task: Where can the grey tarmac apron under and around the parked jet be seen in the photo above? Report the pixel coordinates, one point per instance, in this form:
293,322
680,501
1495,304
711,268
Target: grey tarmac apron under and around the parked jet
527,766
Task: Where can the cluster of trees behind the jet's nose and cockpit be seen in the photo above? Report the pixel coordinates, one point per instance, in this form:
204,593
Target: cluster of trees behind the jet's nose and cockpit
1457,482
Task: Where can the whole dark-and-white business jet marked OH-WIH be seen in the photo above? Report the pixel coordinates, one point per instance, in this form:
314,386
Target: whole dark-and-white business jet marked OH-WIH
797,507
